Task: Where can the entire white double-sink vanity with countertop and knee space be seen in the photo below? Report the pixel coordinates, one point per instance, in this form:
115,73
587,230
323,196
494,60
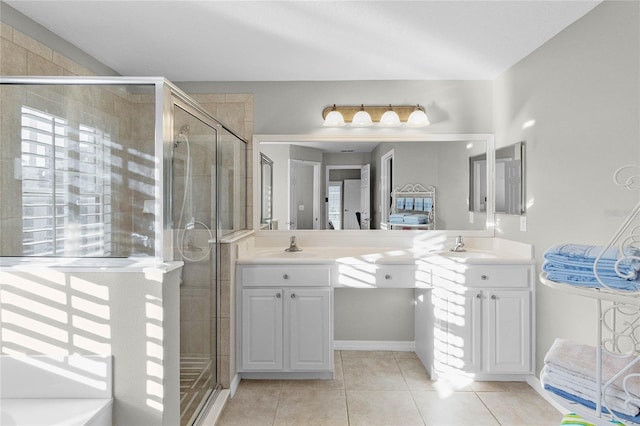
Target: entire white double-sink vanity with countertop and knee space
473,309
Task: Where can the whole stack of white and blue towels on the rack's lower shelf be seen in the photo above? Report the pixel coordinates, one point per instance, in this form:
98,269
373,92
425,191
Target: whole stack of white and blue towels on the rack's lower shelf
570,371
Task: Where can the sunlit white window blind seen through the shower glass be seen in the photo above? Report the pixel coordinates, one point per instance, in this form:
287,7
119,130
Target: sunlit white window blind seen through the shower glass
66,187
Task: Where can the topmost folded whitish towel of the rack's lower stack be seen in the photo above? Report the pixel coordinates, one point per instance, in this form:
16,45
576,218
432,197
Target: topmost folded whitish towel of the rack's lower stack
581,360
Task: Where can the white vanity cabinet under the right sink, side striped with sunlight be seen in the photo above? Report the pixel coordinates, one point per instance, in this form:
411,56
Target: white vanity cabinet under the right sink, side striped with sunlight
482,320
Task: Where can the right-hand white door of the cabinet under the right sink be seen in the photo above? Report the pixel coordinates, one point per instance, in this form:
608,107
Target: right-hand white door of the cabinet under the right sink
508,331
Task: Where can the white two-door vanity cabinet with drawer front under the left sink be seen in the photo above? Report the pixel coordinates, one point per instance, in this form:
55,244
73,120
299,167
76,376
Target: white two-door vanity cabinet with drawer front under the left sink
286,318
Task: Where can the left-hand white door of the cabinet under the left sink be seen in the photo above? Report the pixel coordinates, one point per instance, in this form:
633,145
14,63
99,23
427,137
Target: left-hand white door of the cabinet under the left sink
262,329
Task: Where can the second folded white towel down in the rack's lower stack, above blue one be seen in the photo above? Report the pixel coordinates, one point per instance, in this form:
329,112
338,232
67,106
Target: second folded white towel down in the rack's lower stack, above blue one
614,398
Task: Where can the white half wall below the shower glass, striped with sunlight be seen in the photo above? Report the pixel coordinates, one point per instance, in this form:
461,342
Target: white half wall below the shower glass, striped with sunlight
134,316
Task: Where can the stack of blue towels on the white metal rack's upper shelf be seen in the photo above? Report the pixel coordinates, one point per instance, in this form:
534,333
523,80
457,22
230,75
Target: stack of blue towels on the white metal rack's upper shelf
573,264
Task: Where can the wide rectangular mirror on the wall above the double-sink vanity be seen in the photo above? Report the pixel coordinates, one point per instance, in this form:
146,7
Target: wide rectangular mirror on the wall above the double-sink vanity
338,182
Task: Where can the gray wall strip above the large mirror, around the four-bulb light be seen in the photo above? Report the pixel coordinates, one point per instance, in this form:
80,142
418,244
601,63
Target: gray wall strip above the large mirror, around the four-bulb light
296,107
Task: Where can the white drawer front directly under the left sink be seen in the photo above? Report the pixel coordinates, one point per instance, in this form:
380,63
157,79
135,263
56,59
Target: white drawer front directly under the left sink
285,276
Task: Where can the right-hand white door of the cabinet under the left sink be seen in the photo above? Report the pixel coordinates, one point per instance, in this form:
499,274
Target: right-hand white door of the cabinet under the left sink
308,323
